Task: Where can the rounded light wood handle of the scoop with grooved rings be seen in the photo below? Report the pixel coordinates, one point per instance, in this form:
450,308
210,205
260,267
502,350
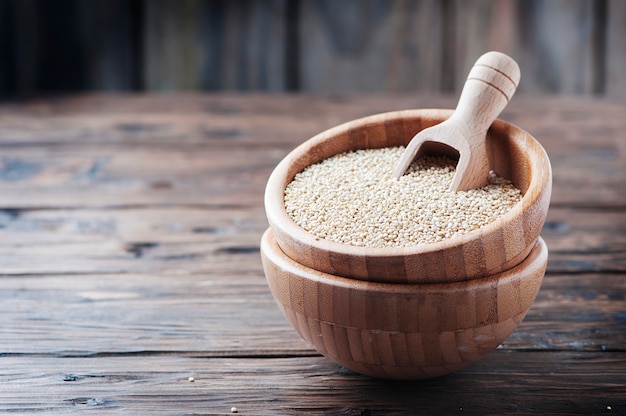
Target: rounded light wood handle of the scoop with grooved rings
491,83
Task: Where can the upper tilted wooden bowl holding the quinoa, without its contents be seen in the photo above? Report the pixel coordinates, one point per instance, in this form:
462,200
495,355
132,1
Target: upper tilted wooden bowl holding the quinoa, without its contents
500,245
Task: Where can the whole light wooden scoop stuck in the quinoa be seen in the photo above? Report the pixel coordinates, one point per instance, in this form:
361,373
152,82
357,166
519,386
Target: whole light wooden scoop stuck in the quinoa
490,85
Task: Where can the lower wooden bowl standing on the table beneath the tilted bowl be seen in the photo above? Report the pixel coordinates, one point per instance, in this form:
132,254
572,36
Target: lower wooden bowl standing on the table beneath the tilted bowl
402,331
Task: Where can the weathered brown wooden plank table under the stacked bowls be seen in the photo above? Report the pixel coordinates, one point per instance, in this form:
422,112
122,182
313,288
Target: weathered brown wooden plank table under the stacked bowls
131,279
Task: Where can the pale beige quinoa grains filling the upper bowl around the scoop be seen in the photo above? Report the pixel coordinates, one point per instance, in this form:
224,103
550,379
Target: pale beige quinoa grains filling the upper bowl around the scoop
351,198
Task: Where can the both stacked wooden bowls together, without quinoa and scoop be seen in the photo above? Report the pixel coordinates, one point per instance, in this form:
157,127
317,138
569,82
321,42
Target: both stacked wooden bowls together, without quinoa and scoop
410,312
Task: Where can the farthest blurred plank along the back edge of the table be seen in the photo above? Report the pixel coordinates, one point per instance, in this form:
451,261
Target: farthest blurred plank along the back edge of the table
201,119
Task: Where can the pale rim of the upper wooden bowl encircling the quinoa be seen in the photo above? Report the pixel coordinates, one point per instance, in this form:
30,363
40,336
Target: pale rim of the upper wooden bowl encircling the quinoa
280,220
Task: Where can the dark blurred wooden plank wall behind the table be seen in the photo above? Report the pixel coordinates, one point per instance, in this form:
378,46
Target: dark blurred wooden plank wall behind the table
52,46
